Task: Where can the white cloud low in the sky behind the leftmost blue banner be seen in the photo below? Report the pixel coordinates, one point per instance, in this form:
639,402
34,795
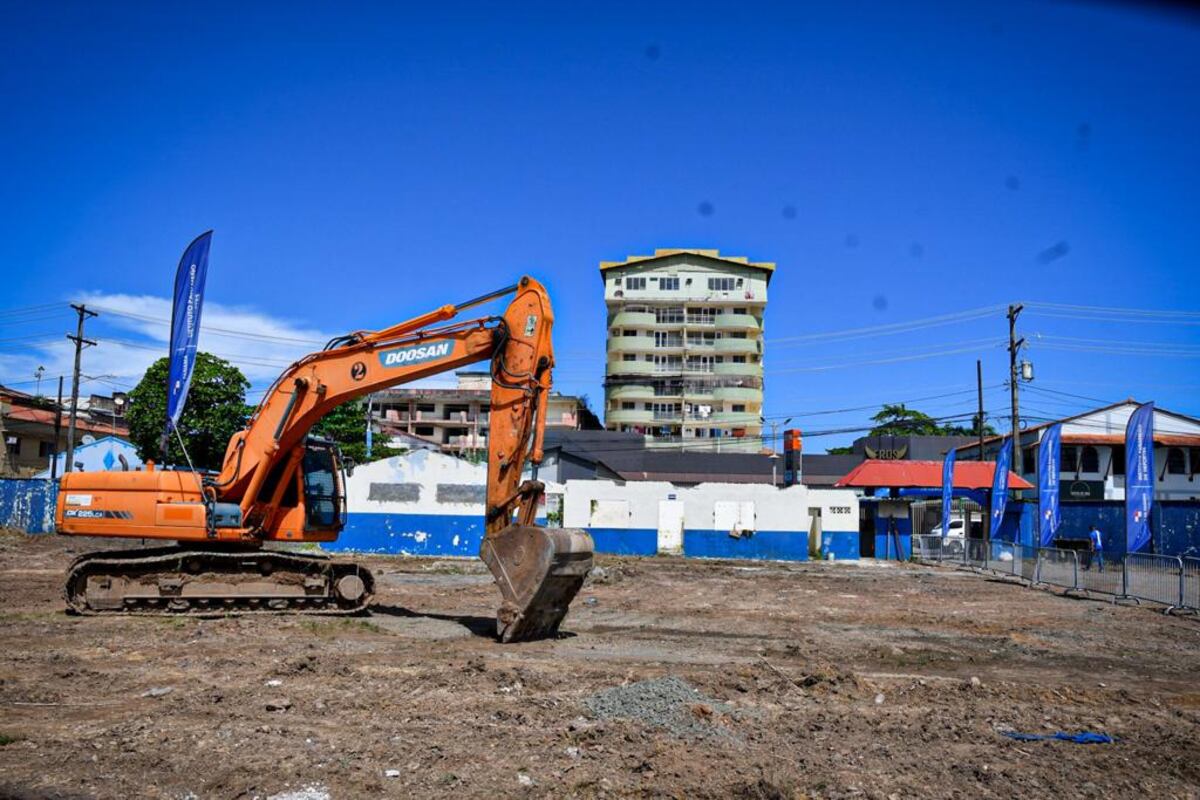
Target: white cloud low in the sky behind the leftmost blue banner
133,333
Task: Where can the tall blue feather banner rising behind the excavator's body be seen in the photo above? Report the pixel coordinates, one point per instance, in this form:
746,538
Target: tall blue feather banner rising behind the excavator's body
185,326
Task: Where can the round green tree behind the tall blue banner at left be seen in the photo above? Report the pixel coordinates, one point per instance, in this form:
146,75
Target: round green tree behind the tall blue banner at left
215,411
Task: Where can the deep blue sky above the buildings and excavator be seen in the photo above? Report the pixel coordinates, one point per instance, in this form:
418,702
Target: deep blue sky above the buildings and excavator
363,167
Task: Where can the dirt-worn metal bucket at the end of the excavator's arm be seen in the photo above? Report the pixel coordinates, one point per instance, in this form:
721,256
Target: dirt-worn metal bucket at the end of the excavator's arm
539,572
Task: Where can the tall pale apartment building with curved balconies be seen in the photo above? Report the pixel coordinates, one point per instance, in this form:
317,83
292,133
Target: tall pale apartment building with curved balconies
685,354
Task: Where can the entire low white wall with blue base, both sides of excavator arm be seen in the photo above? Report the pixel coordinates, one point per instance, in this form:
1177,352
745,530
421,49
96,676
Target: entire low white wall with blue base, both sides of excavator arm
430,504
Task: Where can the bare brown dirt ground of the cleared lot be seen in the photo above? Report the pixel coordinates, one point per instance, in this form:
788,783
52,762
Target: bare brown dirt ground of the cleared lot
674,678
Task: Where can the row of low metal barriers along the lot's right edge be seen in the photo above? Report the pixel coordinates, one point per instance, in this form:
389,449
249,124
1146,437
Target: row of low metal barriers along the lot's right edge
1171,581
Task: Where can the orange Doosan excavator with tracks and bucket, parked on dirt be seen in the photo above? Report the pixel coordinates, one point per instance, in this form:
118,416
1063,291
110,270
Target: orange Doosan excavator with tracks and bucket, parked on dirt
281,485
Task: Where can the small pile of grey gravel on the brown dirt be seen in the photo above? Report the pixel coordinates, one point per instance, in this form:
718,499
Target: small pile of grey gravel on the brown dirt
668,703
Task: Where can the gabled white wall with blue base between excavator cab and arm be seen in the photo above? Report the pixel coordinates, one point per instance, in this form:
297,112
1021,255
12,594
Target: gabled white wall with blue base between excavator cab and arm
421,504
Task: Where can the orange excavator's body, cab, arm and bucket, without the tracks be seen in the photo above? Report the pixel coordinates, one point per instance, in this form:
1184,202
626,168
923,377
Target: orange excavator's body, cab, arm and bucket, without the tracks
266,473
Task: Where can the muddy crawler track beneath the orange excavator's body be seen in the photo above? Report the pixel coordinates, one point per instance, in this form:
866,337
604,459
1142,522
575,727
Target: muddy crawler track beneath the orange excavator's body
190,581
